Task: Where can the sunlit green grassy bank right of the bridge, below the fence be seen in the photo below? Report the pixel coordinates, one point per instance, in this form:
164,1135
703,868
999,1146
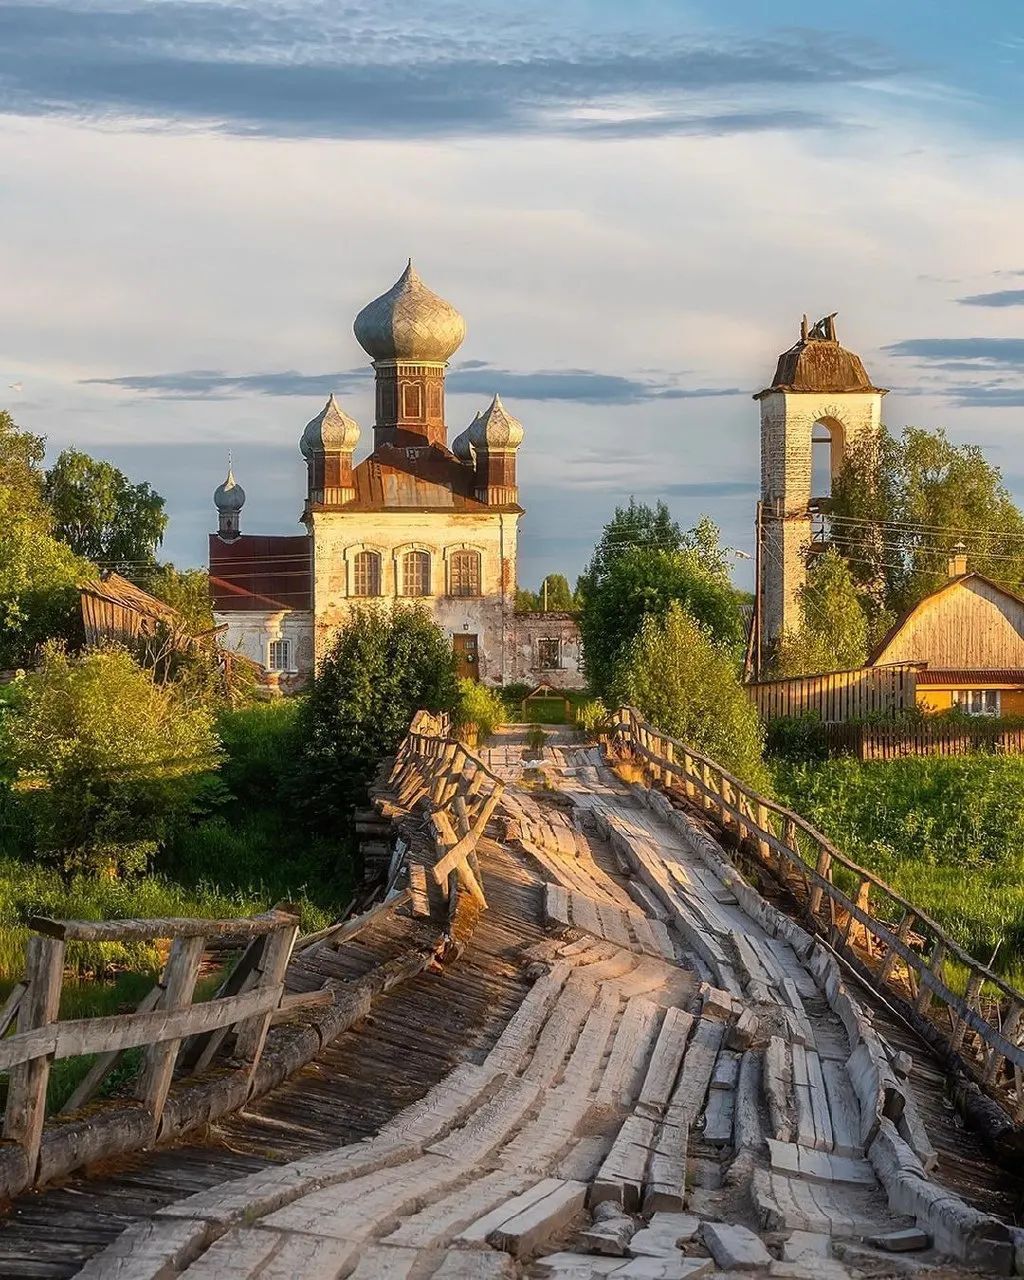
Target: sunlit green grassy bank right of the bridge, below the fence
947,833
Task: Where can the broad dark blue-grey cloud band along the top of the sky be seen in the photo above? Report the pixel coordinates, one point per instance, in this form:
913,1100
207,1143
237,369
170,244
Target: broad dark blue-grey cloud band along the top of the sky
358,71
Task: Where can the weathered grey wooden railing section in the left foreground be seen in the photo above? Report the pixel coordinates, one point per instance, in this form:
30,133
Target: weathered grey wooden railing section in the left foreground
168,1025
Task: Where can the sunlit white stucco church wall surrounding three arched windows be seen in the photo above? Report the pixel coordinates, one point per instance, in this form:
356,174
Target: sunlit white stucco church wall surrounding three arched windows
339,537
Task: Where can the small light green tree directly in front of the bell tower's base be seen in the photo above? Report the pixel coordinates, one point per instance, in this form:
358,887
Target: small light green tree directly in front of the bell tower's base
834,630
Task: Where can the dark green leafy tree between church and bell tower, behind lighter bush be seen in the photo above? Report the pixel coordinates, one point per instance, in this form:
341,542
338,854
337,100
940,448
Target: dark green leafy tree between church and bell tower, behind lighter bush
638,582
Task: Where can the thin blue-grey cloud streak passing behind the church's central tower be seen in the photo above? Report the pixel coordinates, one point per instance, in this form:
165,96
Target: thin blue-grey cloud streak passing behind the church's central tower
473,378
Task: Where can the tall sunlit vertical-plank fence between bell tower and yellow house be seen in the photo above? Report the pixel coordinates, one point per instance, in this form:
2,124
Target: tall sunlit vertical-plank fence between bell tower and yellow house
839,696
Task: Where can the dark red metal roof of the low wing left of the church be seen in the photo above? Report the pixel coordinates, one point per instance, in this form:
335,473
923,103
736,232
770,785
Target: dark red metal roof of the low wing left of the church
258,573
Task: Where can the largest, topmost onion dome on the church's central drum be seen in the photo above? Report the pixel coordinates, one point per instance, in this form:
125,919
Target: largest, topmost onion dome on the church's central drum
410,322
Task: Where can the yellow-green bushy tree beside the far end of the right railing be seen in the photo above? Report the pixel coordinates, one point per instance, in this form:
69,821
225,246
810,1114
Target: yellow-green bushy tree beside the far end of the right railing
687,684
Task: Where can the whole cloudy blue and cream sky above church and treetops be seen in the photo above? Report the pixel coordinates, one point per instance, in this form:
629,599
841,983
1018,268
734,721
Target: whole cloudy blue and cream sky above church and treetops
632,205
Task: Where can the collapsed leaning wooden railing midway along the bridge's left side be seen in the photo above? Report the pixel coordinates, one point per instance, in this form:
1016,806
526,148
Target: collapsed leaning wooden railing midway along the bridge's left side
459,794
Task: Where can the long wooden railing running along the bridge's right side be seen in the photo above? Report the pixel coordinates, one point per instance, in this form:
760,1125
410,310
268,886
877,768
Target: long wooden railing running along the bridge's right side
892,940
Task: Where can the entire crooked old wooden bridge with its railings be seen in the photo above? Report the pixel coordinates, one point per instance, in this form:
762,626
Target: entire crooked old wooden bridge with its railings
615,1016
